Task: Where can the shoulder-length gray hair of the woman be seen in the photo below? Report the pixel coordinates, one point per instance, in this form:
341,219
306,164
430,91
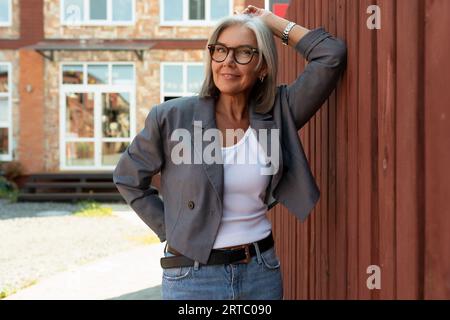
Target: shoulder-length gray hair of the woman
263,92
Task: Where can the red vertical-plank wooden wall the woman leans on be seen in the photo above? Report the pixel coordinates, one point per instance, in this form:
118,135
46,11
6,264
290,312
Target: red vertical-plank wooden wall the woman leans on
380,151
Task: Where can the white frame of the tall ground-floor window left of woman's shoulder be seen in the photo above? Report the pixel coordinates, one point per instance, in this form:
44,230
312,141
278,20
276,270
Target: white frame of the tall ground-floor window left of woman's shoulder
98,90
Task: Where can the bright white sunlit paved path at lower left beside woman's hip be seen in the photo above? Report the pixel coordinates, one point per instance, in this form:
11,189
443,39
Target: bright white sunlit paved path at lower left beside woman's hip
132,275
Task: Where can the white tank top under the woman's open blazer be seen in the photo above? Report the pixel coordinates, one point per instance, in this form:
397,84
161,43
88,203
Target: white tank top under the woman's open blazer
244,211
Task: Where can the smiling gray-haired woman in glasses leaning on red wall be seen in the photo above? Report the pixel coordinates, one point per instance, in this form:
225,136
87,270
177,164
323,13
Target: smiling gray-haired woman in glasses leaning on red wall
213,216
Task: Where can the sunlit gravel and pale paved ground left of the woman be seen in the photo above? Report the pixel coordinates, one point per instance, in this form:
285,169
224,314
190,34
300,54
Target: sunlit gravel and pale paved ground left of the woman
132,272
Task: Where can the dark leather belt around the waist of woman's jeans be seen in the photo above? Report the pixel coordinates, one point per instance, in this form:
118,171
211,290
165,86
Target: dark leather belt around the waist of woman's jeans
230,255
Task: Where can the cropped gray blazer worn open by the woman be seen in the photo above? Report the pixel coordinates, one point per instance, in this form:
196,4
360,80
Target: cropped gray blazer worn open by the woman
189,212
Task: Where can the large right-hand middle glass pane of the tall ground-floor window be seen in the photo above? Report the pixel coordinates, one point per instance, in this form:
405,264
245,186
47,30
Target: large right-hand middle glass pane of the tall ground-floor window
116,115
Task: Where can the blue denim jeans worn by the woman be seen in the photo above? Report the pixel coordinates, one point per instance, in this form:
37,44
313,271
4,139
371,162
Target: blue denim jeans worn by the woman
260,279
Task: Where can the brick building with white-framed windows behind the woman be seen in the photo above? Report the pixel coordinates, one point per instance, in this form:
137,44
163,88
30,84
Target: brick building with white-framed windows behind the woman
78,77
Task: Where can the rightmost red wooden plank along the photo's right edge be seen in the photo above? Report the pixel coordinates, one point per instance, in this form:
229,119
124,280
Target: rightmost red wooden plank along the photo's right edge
437,150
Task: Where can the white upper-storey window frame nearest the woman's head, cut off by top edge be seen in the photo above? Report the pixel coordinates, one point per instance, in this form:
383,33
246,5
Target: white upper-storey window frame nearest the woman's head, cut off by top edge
207,22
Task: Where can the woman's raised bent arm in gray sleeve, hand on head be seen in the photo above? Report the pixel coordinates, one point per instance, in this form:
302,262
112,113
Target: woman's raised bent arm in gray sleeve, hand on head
326,56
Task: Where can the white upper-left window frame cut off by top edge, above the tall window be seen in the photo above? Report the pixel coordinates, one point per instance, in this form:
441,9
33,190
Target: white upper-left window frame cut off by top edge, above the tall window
108,22
